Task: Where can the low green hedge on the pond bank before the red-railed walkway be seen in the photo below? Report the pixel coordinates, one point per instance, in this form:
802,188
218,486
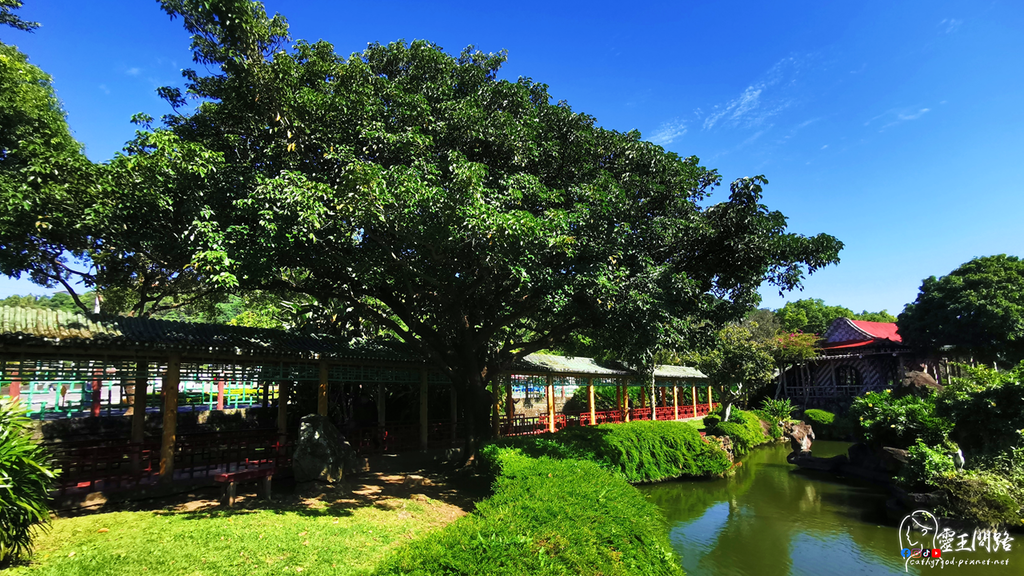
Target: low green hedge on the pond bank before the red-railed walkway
642,451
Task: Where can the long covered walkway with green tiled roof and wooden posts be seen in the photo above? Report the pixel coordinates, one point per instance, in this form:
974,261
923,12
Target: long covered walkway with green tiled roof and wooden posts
130,402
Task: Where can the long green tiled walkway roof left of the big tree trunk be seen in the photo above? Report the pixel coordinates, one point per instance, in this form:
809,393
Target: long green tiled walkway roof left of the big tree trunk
28,326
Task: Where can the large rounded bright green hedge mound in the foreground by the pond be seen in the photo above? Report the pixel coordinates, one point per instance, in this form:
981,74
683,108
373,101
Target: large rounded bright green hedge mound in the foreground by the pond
547,517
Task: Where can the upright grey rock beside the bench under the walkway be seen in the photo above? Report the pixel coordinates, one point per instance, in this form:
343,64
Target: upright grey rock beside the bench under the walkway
322,454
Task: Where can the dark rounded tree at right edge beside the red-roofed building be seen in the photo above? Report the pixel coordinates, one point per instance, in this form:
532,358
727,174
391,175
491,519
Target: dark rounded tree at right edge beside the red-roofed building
977,310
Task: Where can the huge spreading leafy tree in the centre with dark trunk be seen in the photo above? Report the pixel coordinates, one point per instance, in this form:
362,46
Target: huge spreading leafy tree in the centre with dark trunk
471,217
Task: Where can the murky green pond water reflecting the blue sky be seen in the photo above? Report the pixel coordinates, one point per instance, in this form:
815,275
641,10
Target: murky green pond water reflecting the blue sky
773,520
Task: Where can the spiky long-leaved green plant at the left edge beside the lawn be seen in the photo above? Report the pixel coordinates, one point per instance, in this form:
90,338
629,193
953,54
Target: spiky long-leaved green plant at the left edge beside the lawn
26,479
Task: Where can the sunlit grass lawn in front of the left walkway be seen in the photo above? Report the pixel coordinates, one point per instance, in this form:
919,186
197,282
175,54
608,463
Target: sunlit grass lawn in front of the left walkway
329,534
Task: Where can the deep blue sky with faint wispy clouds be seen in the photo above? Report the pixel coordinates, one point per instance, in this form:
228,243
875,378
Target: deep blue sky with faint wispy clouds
897,128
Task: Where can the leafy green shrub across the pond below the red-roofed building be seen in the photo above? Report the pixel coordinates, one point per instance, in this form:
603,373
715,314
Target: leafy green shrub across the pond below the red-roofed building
885,421
